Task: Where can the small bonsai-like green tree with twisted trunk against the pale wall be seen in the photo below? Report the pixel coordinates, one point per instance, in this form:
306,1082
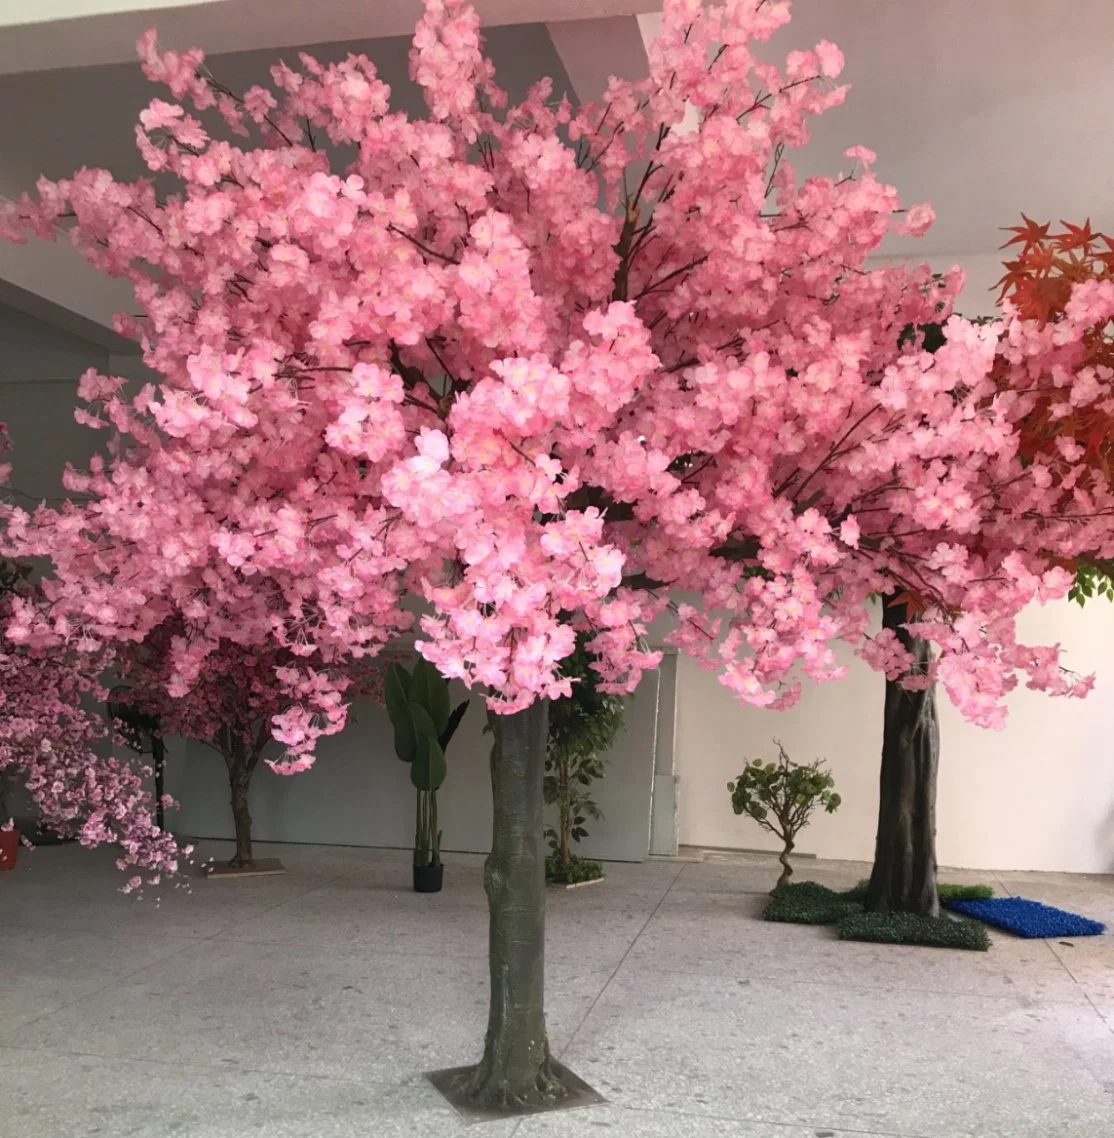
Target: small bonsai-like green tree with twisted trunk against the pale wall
781,798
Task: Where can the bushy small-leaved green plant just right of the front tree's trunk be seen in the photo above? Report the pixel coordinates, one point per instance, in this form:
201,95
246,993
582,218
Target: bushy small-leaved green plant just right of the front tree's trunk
583,729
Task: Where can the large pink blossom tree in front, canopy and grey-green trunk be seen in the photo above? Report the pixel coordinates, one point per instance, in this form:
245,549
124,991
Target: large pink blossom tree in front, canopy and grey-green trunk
549,389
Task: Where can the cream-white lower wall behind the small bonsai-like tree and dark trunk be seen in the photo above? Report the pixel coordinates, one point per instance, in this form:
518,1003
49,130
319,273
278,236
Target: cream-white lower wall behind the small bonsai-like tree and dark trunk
1037,796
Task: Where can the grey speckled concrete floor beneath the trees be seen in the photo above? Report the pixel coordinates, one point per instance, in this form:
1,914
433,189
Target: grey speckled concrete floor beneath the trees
309,1007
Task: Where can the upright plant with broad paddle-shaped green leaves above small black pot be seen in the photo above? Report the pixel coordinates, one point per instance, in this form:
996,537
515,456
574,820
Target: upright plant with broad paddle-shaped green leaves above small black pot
419,707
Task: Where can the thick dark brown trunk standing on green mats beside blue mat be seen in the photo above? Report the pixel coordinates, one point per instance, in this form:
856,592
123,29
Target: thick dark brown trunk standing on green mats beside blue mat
904,879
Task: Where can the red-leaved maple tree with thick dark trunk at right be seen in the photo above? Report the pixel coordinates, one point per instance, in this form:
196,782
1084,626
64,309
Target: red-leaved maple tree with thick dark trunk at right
1060,286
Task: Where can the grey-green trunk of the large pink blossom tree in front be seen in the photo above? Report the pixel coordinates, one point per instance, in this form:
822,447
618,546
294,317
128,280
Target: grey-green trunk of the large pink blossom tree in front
516,1069
